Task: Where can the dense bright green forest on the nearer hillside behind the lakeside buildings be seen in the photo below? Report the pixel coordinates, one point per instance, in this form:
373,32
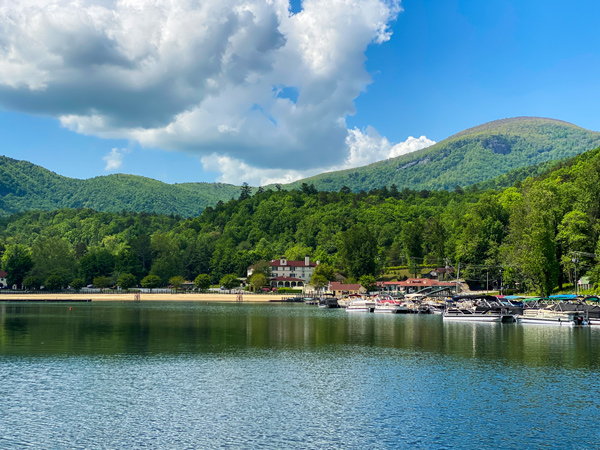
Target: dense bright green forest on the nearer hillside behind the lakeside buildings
534,232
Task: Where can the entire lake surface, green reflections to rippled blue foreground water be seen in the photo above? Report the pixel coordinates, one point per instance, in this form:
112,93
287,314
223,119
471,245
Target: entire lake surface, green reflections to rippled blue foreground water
192,375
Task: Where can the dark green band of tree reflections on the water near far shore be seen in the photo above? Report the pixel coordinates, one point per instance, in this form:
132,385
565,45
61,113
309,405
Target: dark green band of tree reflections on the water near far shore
167,328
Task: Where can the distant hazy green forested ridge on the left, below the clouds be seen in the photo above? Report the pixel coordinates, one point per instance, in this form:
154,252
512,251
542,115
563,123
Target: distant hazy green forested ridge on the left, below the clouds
25,186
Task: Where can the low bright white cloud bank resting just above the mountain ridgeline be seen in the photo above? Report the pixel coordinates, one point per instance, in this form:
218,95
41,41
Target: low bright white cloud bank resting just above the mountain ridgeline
364,148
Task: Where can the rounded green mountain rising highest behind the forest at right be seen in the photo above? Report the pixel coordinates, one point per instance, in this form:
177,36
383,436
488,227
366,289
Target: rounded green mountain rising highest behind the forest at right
471,156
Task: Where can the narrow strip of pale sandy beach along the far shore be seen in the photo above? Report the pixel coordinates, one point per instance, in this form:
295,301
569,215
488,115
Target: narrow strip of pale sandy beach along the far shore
222,298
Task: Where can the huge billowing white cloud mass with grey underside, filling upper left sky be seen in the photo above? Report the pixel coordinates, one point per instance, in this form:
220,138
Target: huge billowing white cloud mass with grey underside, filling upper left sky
242,79
